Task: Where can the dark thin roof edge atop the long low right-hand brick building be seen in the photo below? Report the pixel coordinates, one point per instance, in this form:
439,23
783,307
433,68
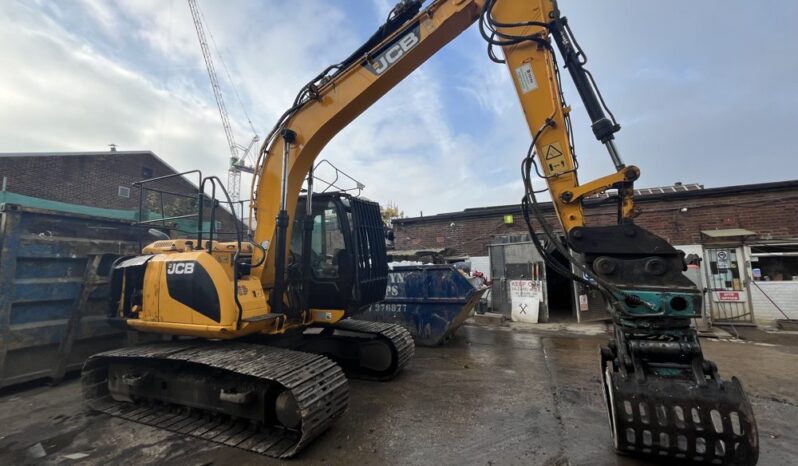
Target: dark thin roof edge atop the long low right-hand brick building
641,195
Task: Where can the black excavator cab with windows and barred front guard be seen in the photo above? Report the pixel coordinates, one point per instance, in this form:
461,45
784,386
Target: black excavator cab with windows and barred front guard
348,264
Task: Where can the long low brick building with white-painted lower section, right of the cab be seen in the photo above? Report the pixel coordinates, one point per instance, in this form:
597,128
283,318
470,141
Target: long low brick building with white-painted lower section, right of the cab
753,227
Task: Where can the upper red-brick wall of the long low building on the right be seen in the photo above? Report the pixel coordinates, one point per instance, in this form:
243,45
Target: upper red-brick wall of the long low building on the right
770,210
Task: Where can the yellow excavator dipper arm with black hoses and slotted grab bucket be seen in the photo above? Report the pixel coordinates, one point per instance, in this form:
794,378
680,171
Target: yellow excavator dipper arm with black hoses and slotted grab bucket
663,398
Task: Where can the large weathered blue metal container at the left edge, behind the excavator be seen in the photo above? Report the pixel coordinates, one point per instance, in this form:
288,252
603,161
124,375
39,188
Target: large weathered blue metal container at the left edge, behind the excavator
54,289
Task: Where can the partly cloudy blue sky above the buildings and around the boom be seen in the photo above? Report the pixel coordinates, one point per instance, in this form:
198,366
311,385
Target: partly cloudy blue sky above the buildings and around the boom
705,91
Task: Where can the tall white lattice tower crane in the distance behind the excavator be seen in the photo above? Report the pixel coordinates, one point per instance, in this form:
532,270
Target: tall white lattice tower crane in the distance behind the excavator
239,155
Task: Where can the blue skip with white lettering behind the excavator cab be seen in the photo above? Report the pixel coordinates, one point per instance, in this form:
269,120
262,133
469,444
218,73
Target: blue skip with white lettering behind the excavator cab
430,301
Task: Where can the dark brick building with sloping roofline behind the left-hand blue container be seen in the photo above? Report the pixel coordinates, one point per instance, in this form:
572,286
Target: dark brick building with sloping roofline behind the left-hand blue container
104,180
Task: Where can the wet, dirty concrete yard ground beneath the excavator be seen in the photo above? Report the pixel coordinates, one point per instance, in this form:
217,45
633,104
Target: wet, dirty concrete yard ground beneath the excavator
495,395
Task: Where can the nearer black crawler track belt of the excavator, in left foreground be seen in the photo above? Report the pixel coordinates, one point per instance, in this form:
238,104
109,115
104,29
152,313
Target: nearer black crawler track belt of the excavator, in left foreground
317,383
